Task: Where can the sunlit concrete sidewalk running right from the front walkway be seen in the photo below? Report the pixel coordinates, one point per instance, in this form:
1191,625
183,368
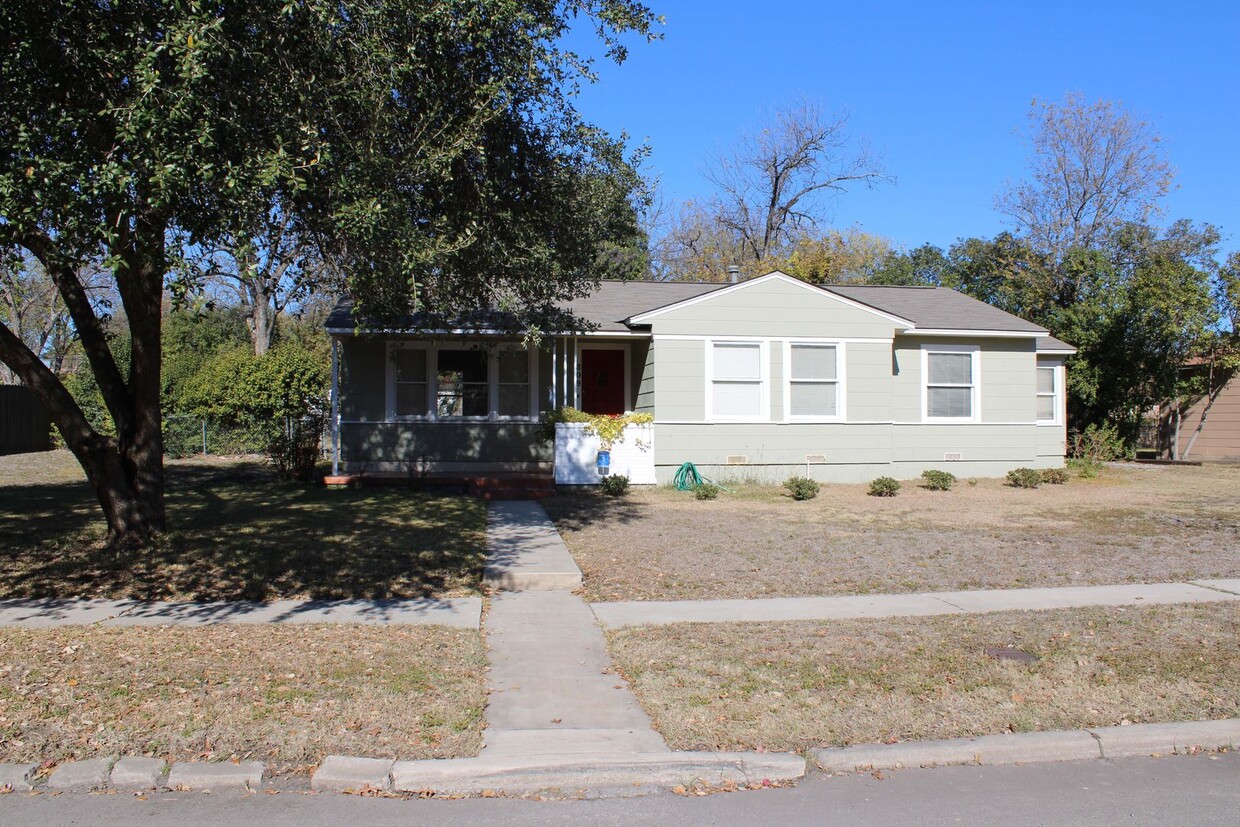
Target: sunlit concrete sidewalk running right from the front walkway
654,613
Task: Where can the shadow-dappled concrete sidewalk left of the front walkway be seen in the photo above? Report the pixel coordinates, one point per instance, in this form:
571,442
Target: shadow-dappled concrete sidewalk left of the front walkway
462,613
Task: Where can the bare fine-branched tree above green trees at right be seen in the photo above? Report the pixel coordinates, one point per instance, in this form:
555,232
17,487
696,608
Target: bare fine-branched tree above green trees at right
1094,167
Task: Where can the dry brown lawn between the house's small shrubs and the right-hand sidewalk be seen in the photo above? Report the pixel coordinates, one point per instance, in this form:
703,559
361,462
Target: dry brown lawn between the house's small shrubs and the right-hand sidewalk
1141,524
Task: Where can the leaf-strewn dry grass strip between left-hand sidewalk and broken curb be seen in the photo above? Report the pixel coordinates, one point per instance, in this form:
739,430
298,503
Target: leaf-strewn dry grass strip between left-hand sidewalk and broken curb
282,695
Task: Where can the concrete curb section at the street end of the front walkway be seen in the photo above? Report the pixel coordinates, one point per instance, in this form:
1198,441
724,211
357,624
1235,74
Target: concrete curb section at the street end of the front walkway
593,774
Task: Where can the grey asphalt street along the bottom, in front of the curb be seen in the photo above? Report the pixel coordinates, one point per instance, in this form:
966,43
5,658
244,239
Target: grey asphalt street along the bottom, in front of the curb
1166,792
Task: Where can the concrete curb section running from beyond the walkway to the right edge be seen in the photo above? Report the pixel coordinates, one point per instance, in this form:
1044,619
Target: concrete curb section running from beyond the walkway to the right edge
1030,748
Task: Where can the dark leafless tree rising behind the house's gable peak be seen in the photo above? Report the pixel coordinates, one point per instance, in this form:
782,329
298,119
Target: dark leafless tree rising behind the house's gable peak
774,185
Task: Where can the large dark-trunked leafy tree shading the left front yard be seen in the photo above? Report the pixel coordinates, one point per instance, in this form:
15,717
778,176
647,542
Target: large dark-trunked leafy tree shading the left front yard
428,148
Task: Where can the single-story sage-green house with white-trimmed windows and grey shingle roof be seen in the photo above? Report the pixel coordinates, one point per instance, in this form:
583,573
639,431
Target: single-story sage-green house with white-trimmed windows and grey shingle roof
759,380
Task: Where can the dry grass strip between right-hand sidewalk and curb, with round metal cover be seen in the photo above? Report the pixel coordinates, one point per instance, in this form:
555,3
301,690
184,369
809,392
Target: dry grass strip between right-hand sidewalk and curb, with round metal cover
798,686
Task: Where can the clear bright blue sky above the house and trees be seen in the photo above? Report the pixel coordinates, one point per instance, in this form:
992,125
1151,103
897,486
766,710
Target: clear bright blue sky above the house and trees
939,90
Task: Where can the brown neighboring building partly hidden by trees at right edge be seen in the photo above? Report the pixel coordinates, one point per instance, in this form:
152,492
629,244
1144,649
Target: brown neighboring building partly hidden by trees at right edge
1208,428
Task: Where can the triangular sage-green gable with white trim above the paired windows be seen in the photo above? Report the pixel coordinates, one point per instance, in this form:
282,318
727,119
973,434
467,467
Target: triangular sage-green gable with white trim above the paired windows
774,308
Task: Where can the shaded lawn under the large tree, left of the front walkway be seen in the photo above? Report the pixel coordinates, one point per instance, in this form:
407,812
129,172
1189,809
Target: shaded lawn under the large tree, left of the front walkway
235,534
